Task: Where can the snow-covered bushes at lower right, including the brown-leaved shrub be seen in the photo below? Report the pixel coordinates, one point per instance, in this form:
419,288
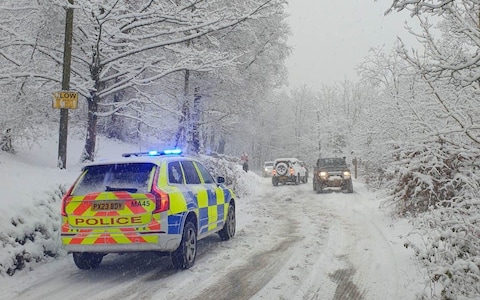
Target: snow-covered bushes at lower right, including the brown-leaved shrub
439,189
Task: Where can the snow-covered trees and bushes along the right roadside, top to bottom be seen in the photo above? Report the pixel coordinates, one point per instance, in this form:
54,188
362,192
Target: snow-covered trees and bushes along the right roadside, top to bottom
434,171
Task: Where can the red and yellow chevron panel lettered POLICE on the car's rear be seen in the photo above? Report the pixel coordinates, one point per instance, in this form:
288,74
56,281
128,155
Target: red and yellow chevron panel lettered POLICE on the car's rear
84,226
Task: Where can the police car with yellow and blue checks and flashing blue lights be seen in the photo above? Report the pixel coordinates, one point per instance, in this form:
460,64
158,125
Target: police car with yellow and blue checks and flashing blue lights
147,201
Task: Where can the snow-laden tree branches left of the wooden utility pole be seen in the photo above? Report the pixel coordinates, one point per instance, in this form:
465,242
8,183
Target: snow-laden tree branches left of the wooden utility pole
25,88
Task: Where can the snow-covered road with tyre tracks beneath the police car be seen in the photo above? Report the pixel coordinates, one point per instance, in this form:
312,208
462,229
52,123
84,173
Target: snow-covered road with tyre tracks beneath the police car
290,244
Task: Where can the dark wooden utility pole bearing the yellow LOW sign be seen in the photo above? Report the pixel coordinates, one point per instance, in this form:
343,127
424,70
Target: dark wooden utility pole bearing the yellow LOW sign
67,58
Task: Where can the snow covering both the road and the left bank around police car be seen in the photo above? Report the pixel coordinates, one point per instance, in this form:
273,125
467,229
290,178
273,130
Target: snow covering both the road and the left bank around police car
290,244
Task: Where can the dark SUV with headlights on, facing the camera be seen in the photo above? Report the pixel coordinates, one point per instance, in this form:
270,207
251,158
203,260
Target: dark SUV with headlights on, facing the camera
332,173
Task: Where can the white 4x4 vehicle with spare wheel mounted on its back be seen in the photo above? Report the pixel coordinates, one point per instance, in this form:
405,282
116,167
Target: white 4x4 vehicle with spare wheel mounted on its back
288,170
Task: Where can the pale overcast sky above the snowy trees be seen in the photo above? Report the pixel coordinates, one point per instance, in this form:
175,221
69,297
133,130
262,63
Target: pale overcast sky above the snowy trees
330,38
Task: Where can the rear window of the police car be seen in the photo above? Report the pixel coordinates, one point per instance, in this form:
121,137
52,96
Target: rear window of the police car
131,177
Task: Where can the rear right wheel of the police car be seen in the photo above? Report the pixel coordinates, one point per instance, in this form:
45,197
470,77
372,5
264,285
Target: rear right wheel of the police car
184,256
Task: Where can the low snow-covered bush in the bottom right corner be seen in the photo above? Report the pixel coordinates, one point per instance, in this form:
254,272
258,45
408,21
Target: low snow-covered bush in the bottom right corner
450,248
